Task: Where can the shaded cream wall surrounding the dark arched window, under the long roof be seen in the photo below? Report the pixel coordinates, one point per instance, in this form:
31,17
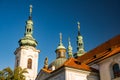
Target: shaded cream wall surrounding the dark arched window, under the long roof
106,67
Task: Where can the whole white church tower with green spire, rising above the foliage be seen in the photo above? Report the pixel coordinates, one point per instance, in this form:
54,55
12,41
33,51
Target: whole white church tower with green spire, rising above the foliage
26,55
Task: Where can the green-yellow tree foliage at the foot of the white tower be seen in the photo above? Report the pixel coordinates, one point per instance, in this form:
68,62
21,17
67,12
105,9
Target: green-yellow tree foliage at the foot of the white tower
16,74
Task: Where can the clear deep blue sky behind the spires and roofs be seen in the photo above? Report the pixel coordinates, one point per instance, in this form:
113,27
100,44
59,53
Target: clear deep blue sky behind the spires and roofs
100,21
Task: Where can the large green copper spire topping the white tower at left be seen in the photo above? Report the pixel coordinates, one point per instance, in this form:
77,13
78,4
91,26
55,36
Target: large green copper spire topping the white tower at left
28,39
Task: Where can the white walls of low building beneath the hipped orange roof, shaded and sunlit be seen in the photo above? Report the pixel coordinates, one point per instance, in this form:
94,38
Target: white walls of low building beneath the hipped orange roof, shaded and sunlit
67,73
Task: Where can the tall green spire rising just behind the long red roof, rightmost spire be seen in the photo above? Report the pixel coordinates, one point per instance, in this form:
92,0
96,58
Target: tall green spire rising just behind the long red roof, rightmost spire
80,43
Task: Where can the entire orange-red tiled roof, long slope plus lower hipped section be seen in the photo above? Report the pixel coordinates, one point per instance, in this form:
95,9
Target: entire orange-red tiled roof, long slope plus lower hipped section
101,52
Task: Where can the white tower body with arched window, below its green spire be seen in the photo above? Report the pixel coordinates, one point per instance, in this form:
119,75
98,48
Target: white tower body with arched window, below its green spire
23,54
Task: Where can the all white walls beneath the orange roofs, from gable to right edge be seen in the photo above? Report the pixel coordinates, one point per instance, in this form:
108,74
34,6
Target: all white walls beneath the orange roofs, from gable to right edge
105,68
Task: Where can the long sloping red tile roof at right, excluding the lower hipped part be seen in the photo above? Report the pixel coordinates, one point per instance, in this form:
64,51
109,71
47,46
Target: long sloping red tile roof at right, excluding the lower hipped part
105,50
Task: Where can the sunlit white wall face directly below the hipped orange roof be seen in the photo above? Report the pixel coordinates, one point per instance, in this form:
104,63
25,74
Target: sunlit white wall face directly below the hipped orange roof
75,74
